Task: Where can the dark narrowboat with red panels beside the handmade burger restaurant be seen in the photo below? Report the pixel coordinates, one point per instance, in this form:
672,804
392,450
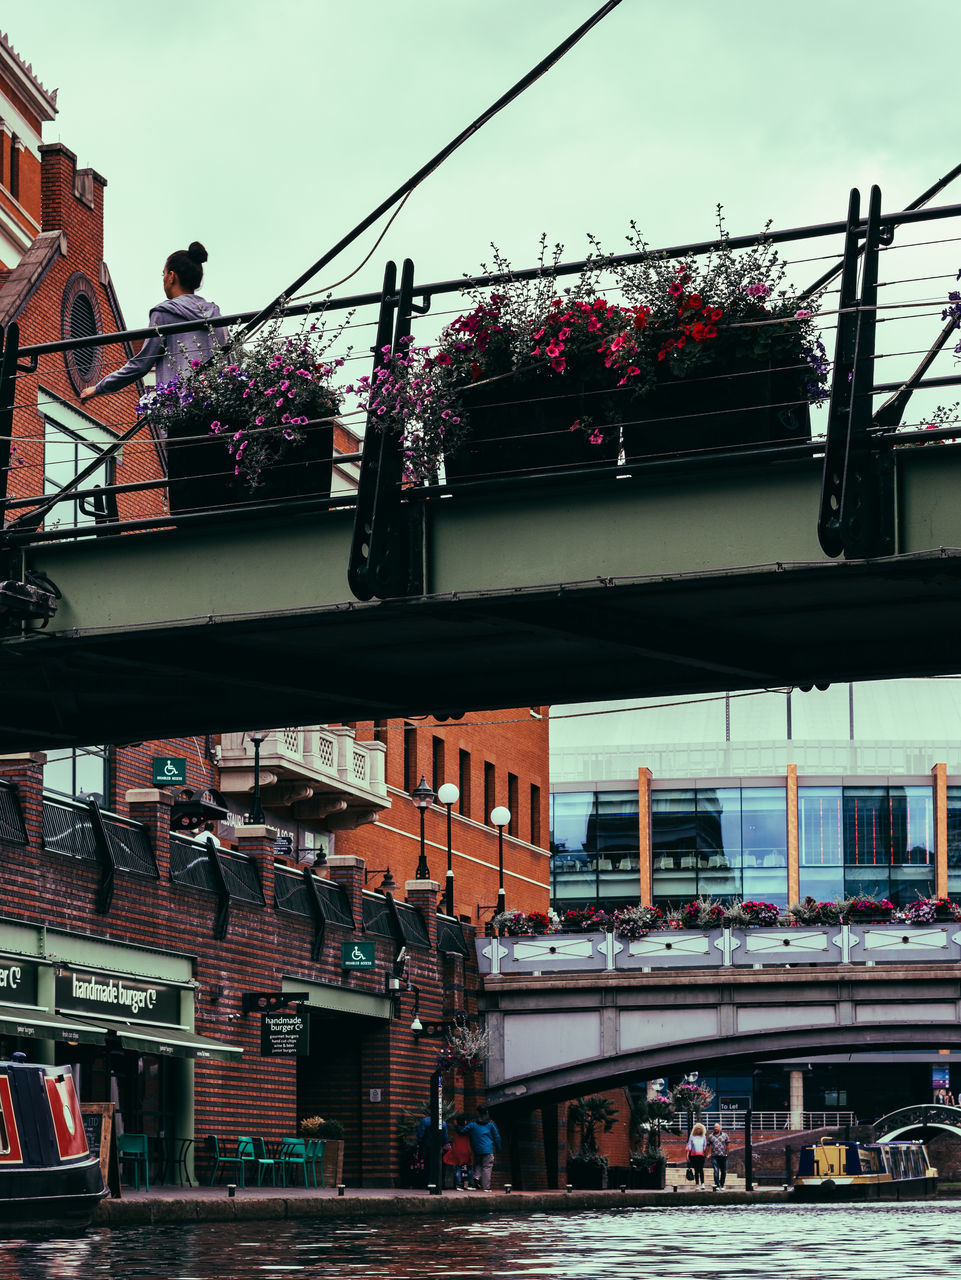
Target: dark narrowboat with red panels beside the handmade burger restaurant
48,1177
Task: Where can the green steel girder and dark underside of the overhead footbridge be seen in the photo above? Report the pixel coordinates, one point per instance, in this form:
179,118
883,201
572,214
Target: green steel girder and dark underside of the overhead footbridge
630,588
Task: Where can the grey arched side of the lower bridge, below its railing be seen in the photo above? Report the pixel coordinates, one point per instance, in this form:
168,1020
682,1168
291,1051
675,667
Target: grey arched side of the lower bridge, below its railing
555,1039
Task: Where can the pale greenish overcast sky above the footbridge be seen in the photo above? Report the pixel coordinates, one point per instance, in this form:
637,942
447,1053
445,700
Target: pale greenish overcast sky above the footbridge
268,131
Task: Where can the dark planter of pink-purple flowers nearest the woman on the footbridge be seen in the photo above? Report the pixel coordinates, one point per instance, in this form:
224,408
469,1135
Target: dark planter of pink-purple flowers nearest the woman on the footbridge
255,422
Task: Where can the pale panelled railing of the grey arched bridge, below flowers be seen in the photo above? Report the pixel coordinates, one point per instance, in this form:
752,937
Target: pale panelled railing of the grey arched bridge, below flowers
761,948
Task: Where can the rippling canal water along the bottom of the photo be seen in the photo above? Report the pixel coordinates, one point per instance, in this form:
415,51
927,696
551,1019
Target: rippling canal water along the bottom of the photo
870,1242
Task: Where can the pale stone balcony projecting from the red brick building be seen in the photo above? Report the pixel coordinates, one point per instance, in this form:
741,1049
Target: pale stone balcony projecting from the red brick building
315,774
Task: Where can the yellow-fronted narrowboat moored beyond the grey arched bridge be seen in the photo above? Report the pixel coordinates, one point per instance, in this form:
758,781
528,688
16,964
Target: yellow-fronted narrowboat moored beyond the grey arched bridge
854,1171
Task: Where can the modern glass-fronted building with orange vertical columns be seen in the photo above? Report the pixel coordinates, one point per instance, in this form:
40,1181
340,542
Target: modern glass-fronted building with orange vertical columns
813,810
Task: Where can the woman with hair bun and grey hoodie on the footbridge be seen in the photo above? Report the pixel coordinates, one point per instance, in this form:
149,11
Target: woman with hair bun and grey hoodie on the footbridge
177,355
